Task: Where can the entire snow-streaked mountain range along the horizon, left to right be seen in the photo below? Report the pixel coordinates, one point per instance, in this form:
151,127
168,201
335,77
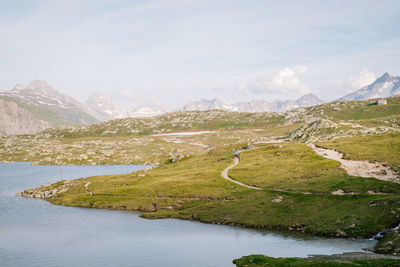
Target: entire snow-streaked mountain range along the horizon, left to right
31,108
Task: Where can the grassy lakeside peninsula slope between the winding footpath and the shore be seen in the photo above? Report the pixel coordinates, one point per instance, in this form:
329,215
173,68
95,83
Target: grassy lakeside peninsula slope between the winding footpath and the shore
193,189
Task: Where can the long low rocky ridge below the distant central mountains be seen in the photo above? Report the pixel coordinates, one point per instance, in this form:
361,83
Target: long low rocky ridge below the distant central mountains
170,122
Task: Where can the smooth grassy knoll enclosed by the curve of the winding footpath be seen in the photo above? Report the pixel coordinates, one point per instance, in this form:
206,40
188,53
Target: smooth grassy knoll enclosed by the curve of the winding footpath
295,167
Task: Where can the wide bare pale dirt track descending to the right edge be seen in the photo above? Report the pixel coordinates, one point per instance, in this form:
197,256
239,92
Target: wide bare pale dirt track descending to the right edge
360,168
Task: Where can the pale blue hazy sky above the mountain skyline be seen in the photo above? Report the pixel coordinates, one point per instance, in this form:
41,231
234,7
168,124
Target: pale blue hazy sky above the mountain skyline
165,53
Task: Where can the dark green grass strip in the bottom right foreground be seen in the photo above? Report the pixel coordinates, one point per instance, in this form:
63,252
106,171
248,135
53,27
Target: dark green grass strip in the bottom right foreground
261,260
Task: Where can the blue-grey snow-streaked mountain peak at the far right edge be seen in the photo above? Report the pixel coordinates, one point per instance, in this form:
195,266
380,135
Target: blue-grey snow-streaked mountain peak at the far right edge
385,86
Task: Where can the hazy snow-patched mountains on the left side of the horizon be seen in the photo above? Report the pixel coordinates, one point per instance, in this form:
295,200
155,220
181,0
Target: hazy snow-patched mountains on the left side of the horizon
30,108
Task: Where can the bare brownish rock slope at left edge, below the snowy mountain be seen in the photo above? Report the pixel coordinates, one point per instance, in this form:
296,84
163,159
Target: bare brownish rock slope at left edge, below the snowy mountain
15,120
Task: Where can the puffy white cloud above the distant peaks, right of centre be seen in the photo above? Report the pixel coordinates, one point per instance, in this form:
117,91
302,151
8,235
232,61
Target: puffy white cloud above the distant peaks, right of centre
285,81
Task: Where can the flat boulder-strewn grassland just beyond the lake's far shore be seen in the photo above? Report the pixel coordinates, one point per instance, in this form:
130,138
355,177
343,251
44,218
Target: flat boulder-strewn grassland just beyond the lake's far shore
144,149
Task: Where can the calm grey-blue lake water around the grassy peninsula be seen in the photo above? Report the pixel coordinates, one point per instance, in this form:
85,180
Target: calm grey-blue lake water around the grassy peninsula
34,232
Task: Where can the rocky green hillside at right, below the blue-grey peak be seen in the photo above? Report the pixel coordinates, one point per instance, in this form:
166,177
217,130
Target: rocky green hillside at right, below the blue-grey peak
337,120
